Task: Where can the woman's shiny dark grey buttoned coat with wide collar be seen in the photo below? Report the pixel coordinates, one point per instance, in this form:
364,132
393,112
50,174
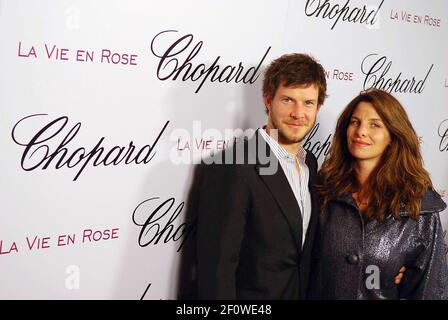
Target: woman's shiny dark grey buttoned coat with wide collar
358,260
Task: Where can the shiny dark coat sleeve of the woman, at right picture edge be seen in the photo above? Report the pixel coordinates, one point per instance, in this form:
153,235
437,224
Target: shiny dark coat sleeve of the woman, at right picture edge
427,278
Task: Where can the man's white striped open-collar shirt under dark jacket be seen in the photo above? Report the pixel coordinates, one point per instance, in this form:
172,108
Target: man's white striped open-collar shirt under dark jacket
297,173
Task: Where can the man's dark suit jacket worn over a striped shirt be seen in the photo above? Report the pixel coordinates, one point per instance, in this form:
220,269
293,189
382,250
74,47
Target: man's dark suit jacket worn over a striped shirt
249,237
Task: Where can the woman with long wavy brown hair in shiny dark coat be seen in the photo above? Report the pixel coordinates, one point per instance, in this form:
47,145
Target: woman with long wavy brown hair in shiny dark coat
380,210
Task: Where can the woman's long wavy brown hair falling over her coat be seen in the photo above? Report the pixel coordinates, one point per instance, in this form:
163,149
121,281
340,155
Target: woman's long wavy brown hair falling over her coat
398,182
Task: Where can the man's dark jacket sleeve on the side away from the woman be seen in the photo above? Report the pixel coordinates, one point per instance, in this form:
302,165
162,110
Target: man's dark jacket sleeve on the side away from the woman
222,214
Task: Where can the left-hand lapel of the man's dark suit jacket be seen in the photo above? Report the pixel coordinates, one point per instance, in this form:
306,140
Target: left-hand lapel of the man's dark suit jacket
278,185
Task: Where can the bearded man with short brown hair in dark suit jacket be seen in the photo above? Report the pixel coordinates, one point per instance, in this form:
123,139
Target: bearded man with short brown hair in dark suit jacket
255,227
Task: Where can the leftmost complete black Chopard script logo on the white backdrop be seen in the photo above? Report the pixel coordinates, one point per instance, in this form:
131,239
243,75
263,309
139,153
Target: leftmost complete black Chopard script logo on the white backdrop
52,146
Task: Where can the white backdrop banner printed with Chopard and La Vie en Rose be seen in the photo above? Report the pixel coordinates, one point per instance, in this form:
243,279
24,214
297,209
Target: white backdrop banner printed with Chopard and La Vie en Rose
107,108
